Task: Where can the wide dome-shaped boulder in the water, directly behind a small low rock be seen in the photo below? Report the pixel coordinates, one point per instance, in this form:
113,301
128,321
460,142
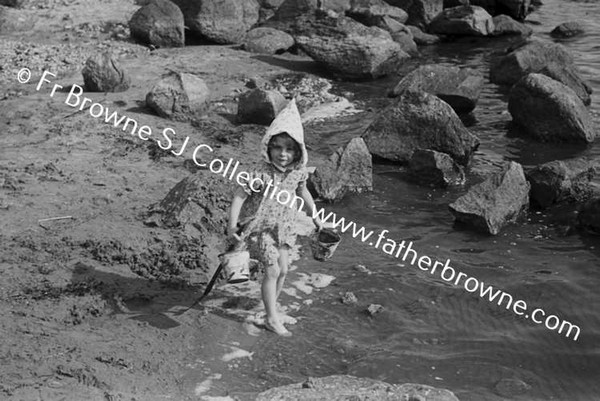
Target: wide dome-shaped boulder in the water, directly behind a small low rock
419,120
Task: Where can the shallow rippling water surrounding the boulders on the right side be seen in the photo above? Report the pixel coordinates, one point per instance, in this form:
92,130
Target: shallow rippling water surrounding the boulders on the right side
431,332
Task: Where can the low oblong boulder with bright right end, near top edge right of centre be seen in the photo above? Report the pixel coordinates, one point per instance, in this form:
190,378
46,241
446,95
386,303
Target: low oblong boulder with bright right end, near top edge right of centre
463,20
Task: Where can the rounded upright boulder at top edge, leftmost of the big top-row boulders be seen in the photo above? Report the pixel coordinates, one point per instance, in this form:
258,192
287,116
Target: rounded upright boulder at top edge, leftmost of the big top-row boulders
159,23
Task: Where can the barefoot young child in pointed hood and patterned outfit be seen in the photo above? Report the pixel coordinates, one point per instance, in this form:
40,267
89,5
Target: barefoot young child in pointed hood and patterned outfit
265,209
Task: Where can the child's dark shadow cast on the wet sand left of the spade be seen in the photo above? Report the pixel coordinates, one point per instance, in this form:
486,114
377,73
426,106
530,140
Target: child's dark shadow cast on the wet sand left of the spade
142,299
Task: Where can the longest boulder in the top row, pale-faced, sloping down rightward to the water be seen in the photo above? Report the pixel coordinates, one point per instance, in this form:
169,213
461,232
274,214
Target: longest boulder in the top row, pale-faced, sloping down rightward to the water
347,48
